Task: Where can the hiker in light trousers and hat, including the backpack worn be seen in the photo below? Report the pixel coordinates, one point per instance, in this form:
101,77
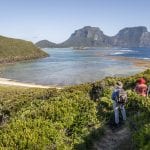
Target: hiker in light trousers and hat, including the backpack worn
119,98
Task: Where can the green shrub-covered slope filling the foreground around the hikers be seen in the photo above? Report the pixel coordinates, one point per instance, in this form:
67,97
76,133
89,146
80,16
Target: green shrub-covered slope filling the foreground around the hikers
68,118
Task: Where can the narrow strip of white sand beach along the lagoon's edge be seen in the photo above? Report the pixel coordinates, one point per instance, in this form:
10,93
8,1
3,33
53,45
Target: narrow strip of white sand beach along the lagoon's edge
8,82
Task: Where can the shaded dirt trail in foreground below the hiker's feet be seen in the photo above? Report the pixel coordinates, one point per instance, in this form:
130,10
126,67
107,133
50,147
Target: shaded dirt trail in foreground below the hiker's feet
119,139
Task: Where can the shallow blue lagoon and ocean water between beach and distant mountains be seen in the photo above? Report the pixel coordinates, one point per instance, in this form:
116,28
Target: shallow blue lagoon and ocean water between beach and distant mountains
66,66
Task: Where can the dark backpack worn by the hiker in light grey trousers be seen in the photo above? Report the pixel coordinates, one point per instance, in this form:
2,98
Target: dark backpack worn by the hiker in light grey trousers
121,96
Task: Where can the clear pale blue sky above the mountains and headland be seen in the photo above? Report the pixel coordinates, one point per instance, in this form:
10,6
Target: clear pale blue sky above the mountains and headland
56,20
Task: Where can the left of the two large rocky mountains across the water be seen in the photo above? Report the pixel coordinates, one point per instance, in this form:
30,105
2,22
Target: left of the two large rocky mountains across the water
88,37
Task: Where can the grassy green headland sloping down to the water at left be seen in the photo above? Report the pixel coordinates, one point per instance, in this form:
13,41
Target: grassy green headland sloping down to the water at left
12,50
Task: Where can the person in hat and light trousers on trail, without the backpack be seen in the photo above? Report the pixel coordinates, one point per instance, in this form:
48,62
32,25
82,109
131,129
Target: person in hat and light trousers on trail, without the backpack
117,105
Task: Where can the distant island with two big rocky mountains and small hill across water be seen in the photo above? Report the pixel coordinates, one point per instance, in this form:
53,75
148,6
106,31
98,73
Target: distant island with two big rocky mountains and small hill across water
93,37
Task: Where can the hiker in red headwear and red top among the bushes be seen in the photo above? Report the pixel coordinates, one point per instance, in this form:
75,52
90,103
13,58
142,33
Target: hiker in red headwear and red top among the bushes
141,87
